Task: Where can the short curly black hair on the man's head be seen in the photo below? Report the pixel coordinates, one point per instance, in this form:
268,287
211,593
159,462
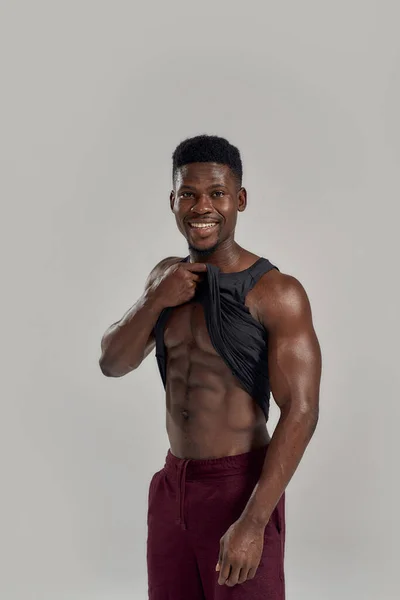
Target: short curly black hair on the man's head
207,148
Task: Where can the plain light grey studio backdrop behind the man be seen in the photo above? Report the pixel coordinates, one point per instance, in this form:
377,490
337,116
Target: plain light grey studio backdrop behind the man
95,95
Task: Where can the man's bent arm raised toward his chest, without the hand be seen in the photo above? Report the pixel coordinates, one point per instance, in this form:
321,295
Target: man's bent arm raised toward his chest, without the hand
127,342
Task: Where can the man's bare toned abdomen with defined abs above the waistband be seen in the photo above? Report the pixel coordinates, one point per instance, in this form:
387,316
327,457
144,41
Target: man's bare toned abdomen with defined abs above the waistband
208,414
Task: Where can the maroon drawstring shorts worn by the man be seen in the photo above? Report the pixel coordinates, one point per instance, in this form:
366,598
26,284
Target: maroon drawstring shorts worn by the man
191,505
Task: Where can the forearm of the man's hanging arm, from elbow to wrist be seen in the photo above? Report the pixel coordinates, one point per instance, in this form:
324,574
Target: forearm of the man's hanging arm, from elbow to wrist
288,443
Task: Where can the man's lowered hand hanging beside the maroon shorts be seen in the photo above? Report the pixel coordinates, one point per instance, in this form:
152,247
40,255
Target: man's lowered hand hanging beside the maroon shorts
240,552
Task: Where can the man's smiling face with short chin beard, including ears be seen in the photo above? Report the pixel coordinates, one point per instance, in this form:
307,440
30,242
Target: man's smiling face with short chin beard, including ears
205,200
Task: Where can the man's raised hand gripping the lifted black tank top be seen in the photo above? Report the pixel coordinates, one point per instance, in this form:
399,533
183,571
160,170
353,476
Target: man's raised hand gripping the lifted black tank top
178,283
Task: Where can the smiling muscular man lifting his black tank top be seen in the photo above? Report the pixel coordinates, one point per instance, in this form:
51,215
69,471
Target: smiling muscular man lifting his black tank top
228,327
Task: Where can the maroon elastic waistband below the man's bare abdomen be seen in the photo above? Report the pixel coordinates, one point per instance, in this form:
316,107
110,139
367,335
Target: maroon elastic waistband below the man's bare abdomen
216,467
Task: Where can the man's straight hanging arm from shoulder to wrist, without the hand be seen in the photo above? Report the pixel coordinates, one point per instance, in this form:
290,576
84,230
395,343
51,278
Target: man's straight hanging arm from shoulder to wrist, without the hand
295,371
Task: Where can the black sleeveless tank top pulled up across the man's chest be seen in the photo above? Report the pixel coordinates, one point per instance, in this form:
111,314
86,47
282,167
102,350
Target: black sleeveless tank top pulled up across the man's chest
236,335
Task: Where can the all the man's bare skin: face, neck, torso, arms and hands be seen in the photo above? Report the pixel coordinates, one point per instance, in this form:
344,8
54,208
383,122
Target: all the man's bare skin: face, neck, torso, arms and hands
209,415
